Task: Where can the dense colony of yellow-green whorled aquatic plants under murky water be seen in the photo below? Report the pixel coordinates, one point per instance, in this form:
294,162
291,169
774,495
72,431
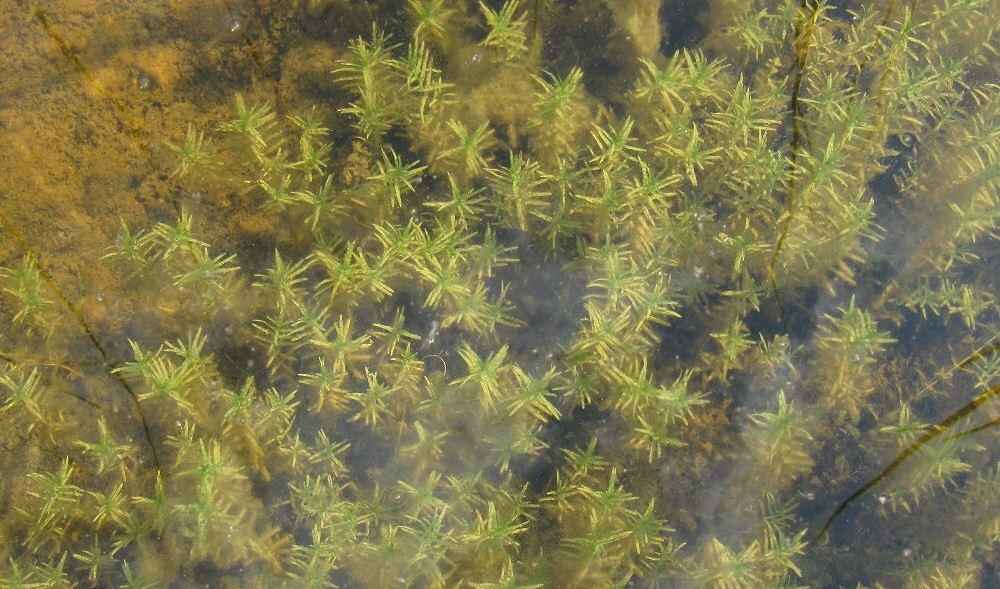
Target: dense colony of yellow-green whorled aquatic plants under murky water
512,332
